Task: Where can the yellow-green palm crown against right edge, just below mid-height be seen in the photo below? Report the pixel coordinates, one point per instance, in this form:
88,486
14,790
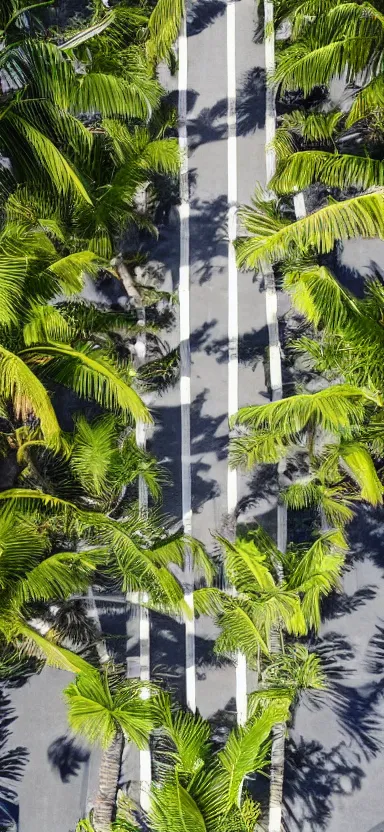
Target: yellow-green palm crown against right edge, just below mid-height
328,439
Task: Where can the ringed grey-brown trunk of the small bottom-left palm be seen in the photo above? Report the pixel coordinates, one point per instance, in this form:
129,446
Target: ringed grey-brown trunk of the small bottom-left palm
105,803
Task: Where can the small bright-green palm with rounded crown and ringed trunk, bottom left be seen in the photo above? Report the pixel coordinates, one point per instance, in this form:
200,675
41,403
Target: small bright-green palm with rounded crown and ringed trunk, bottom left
106,710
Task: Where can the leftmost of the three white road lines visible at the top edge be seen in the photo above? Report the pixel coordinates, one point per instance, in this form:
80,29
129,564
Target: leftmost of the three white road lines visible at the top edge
185,362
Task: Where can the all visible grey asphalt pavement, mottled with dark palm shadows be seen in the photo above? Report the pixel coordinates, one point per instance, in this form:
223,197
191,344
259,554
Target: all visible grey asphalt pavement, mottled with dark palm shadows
334,752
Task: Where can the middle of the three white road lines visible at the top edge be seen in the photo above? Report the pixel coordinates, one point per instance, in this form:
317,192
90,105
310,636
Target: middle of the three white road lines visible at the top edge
233,316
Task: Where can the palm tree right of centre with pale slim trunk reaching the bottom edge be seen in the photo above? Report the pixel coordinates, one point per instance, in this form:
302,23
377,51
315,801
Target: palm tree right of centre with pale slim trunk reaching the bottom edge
276,594
